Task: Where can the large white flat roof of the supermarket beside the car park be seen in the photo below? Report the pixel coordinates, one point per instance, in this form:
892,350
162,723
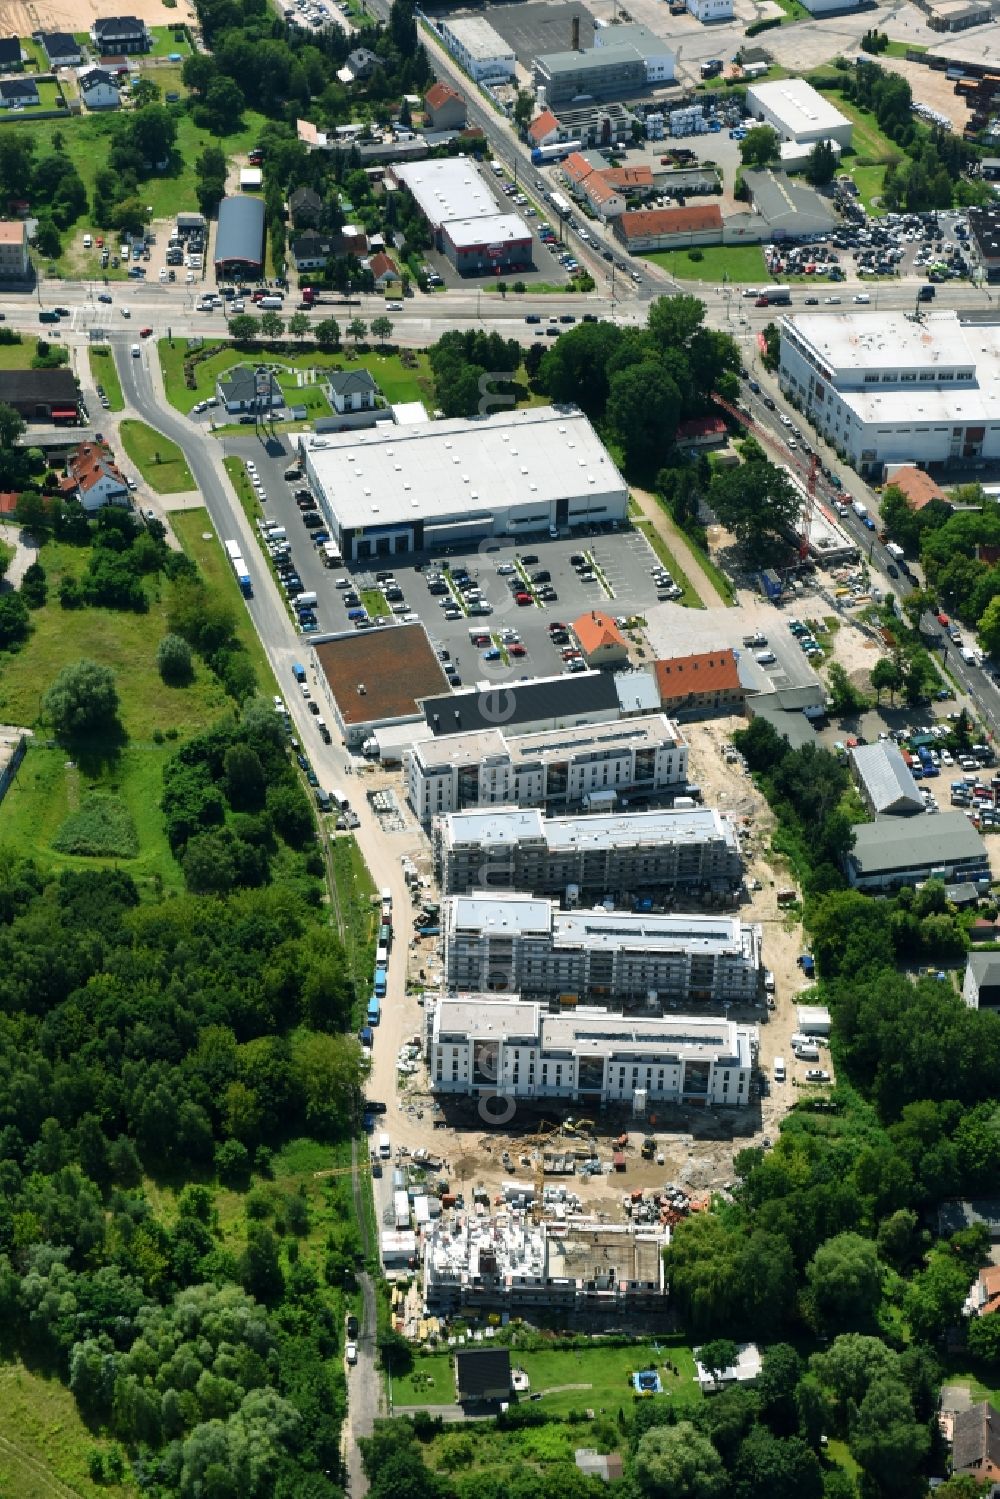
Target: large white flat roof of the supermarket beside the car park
464,467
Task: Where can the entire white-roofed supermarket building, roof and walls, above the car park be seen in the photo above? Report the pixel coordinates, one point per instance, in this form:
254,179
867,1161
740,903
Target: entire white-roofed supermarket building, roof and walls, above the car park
515,473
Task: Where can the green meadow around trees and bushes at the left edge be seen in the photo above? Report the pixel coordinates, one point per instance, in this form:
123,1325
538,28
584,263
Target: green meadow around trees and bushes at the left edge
49,786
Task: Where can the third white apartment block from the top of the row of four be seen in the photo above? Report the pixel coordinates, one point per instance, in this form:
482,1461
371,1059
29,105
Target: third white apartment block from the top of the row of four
512,944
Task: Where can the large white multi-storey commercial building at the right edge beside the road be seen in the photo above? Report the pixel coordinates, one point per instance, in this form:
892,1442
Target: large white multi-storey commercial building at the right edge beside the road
885,387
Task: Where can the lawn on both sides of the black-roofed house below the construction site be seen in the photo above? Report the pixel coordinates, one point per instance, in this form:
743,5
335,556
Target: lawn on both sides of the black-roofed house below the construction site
588,1378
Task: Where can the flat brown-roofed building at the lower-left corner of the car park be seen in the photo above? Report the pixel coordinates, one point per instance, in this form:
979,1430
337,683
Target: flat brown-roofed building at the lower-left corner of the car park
376,678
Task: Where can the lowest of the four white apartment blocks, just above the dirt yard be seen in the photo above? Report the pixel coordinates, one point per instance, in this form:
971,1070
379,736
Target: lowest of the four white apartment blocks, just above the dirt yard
513,1050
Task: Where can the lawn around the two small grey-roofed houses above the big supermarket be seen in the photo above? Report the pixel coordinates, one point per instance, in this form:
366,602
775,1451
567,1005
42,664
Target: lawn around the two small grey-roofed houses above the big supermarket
398,381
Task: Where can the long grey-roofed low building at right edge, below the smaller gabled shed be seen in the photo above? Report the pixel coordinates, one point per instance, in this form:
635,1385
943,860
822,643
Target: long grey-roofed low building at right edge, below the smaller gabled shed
890,855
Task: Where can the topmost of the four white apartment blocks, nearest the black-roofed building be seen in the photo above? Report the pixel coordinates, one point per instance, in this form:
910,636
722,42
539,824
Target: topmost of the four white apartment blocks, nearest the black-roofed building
557,770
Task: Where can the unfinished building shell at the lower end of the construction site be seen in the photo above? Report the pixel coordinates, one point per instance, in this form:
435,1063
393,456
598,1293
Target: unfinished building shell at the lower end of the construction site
506,1263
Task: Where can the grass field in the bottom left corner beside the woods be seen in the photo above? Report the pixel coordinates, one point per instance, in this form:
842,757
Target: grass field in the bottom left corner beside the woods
44,1444
